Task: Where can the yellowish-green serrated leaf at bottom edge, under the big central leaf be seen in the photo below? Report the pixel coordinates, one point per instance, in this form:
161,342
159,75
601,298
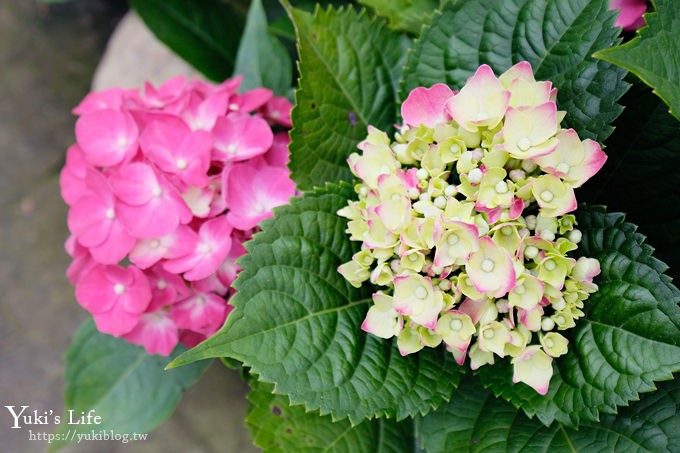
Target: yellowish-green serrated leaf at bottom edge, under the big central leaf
277,427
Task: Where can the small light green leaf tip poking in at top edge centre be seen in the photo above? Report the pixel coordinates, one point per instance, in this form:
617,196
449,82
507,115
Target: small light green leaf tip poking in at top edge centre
404,15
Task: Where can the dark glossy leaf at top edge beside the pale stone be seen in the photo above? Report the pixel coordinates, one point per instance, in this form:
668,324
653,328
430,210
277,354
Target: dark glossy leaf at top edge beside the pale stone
205,33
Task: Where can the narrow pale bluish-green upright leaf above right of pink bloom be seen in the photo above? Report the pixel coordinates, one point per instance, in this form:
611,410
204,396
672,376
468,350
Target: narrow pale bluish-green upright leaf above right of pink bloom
261,58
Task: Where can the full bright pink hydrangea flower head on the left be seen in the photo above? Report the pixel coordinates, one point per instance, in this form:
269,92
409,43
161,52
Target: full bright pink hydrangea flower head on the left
164,185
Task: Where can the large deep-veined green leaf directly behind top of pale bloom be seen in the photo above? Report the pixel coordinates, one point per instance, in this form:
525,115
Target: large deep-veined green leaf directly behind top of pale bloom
557,37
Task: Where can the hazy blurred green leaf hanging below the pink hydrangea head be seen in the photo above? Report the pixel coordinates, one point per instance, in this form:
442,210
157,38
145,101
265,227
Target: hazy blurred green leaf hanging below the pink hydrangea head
121,383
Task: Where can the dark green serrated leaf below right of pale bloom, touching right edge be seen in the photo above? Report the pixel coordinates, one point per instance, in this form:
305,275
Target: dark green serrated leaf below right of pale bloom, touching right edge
629,337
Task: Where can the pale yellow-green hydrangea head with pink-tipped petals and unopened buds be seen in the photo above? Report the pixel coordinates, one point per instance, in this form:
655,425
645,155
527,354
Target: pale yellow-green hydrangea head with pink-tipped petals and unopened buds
465,224
